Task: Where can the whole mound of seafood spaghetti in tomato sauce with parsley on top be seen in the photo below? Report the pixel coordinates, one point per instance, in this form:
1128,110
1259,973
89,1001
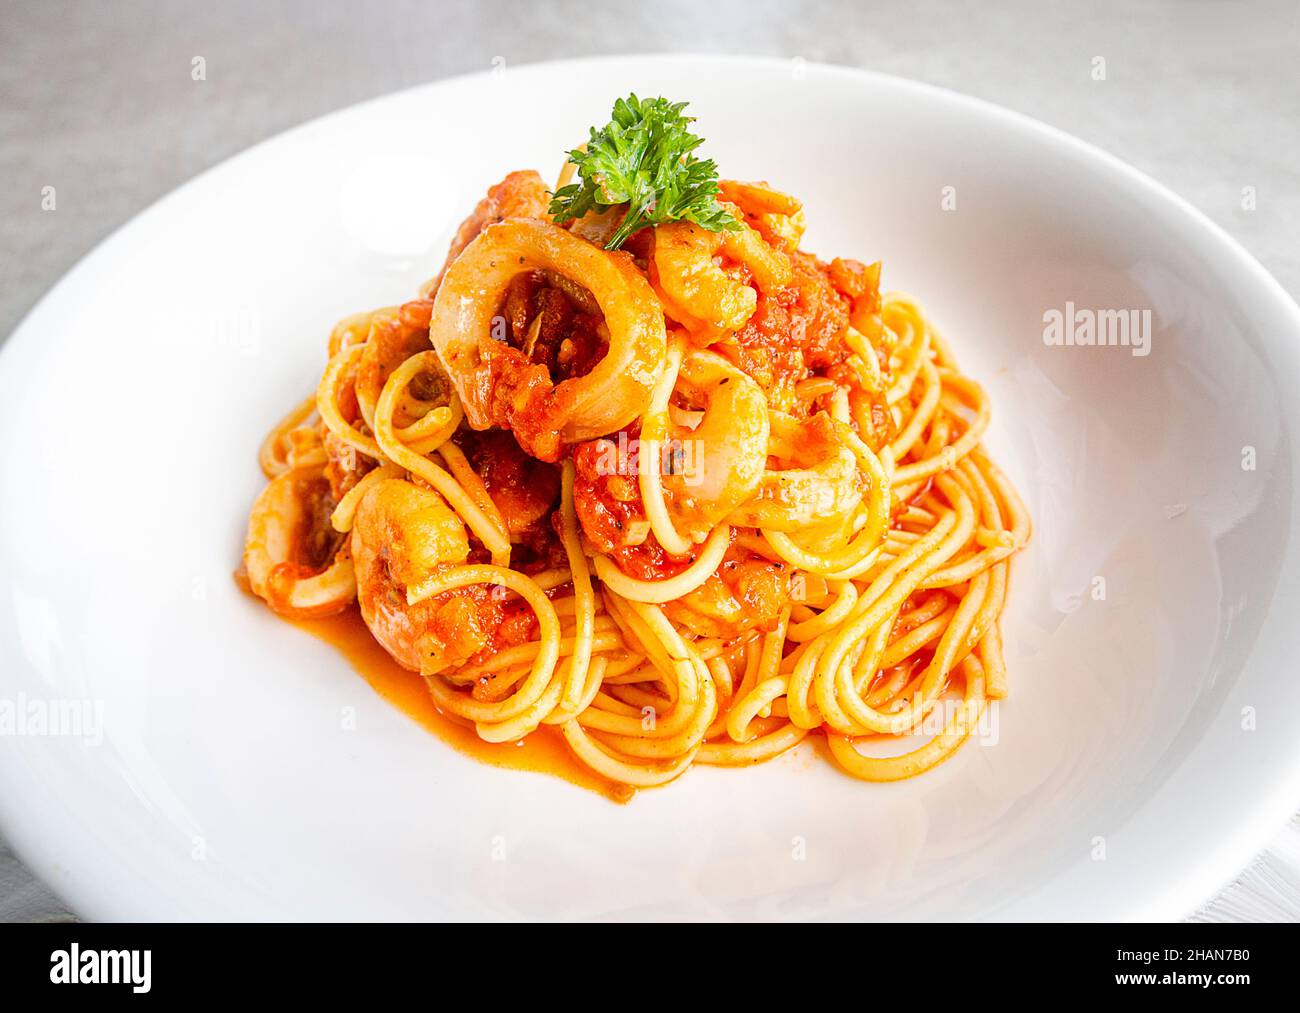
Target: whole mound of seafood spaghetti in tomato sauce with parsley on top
638,471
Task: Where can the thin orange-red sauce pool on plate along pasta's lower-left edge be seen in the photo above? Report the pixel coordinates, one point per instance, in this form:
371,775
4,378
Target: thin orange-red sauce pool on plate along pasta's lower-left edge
543,752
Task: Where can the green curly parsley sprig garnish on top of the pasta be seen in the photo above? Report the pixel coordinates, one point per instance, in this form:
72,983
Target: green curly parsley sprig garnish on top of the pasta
643,158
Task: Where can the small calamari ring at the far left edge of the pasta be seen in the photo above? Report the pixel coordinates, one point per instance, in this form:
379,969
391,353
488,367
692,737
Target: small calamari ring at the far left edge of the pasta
293,559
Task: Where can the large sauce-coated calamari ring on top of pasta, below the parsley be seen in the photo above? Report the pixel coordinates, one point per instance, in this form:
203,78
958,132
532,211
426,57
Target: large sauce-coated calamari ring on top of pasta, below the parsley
499,384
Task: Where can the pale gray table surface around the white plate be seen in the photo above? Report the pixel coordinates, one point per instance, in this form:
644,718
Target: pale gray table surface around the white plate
98,101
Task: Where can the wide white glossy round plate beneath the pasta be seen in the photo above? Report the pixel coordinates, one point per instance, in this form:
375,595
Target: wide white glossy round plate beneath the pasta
1151,742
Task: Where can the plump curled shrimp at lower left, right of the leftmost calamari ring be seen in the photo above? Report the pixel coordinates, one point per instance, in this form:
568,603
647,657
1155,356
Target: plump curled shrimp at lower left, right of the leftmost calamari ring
402,535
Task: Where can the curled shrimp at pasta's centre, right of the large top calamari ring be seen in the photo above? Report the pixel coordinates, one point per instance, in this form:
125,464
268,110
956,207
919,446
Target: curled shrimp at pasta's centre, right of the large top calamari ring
731,441
